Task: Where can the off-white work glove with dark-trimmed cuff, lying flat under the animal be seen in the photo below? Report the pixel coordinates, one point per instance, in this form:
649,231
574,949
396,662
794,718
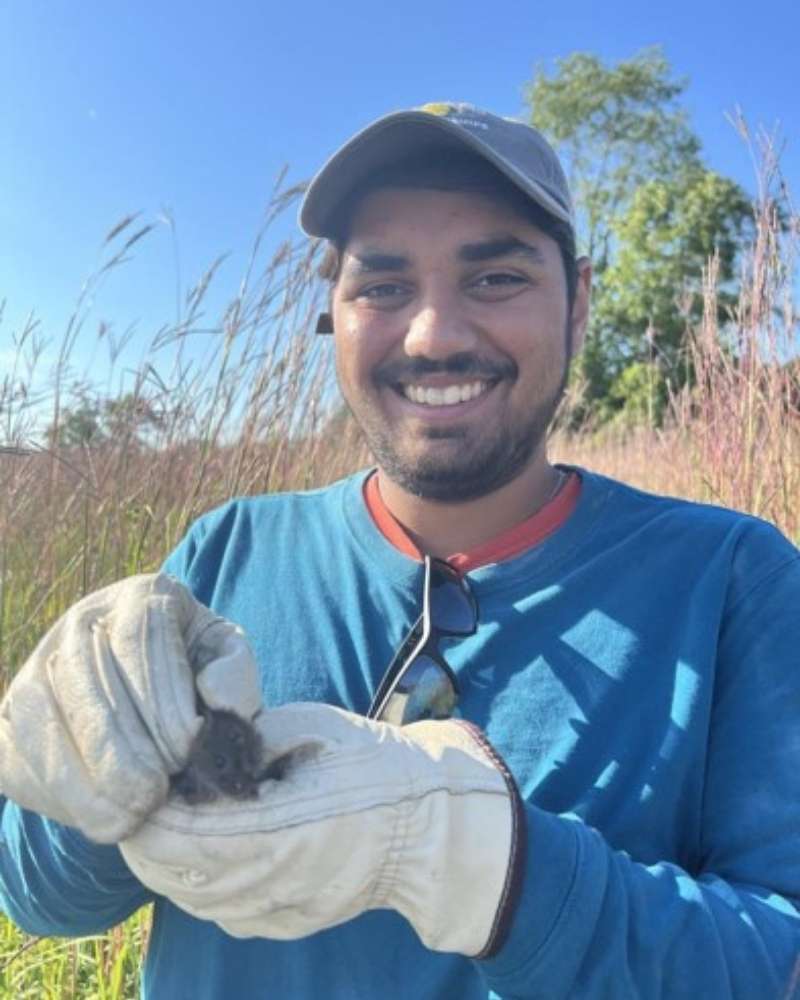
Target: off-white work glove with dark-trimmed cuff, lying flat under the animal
422,819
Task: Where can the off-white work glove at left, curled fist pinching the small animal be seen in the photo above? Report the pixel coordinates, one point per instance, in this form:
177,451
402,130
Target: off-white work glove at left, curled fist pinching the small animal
104,710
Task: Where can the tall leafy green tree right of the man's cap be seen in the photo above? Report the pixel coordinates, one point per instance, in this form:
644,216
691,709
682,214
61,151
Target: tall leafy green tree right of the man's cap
649,215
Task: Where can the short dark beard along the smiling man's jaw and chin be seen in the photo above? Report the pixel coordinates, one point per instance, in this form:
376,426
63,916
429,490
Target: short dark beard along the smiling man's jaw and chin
470,472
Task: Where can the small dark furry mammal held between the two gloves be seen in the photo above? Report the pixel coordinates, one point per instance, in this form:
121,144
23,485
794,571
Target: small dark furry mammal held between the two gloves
226,759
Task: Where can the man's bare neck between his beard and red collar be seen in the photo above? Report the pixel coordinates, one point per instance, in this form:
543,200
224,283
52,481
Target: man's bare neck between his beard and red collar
440,529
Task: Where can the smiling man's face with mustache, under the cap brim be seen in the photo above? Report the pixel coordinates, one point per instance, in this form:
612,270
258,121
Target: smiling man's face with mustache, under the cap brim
451,329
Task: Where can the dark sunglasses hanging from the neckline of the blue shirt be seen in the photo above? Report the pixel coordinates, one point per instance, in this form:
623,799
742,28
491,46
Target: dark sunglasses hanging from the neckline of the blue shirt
419,683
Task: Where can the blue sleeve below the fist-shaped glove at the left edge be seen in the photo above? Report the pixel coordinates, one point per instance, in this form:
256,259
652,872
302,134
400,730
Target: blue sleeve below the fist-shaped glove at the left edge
55,882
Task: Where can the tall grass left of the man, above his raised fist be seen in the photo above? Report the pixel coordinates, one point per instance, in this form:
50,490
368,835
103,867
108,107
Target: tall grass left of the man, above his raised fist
240,405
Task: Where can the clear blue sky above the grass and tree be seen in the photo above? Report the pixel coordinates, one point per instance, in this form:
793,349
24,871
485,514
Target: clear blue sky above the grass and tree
192,107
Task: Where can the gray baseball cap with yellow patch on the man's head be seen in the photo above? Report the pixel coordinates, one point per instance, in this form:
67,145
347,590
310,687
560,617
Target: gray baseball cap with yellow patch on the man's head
517,150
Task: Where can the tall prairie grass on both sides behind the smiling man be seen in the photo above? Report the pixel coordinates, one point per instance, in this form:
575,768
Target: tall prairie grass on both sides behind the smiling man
244,403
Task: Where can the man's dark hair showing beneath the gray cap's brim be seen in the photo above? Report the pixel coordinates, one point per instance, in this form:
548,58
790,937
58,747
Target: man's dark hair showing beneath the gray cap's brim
450,170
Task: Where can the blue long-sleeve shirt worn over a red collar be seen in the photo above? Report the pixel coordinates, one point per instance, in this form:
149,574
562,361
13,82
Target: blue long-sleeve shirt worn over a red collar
639,671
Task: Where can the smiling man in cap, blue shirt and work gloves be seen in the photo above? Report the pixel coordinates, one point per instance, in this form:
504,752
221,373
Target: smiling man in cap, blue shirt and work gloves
623,822
